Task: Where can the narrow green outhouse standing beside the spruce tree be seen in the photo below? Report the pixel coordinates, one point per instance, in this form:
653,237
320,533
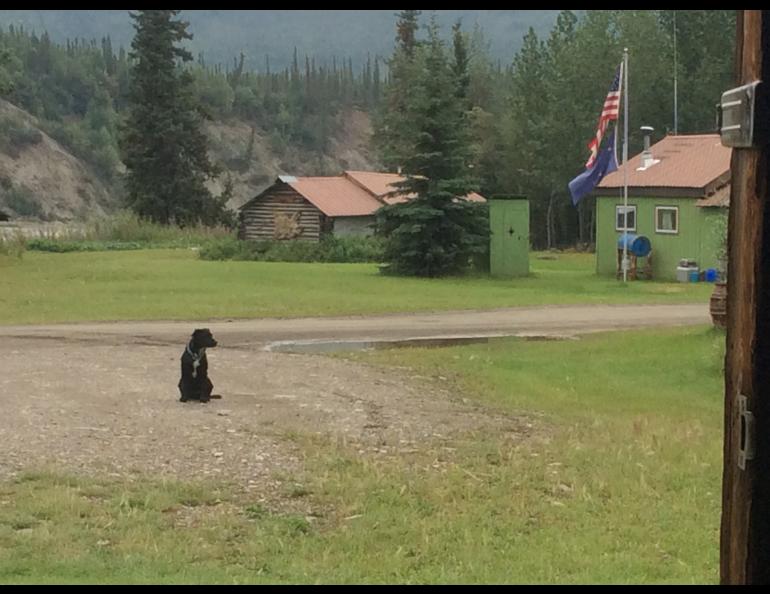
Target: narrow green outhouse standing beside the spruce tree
509,236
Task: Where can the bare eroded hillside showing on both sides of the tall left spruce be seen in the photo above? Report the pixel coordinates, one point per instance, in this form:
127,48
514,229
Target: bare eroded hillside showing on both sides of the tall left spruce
64,188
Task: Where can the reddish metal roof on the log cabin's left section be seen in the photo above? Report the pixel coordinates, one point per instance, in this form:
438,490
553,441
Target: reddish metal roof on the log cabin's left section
336,196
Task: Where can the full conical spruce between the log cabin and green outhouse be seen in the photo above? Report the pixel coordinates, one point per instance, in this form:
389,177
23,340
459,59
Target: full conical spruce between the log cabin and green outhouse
436,233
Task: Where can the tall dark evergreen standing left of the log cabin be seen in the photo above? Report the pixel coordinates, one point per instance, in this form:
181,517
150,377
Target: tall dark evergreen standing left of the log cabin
163,145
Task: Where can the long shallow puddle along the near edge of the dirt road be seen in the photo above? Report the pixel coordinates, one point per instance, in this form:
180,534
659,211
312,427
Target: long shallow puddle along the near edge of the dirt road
336,346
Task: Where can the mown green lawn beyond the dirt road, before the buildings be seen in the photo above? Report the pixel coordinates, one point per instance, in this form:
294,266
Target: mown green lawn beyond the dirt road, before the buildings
175,284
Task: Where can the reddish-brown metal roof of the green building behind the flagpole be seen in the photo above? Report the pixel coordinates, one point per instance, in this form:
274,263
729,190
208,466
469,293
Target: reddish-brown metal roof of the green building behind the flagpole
684,161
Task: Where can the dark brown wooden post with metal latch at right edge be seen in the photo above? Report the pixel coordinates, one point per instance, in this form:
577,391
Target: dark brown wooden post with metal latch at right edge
745,530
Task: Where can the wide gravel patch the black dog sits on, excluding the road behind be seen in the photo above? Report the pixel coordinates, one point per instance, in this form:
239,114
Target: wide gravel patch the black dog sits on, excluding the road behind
113,410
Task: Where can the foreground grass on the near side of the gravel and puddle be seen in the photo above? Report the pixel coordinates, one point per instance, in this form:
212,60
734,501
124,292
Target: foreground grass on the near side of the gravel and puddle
619,482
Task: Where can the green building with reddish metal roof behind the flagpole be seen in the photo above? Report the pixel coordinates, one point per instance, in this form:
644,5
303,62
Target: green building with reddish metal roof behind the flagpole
677,189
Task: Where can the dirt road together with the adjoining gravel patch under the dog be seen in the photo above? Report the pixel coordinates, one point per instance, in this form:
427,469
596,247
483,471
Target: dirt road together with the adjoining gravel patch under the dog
102,398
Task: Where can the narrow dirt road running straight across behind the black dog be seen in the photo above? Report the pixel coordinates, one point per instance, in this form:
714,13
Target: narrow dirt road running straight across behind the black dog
574,319
